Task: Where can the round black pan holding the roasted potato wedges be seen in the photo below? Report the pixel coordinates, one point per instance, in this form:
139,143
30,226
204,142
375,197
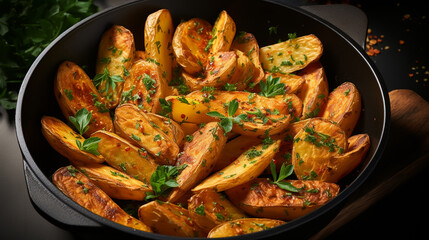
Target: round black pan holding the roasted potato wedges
343,60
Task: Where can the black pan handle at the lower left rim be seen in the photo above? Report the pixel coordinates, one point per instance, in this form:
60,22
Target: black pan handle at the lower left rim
51,207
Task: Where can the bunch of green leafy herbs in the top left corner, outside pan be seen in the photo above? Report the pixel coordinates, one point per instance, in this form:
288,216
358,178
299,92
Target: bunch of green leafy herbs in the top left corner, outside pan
26,28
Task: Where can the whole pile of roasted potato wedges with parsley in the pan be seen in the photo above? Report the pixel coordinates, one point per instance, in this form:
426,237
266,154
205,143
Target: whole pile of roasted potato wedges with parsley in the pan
210,134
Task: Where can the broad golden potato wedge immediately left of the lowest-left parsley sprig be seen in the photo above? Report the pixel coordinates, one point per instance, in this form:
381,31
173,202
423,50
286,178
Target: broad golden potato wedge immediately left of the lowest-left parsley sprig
125,157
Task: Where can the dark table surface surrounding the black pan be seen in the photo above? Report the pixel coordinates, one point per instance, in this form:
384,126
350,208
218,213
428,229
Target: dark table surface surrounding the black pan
403,63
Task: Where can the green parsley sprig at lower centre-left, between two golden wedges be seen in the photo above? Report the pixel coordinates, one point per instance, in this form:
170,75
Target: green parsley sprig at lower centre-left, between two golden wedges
163,180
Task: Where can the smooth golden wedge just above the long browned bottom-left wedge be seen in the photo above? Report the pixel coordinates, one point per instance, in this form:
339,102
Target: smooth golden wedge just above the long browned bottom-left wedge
115,183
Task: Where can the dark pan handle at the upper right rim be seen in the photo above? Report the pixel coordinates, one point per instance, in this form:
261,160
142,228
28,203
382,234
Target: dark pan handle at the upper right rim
350,19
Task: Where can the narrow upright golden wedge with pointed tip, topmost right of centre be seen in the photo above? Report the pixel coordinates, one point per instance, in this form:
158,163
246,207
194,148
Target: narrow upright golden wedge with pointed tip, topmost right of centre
222,34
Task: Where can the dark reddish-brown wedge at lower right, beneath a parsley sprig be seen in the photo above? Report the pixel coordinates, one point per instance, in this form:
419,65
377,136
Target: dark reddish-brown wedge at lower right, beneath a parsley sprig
260,198
